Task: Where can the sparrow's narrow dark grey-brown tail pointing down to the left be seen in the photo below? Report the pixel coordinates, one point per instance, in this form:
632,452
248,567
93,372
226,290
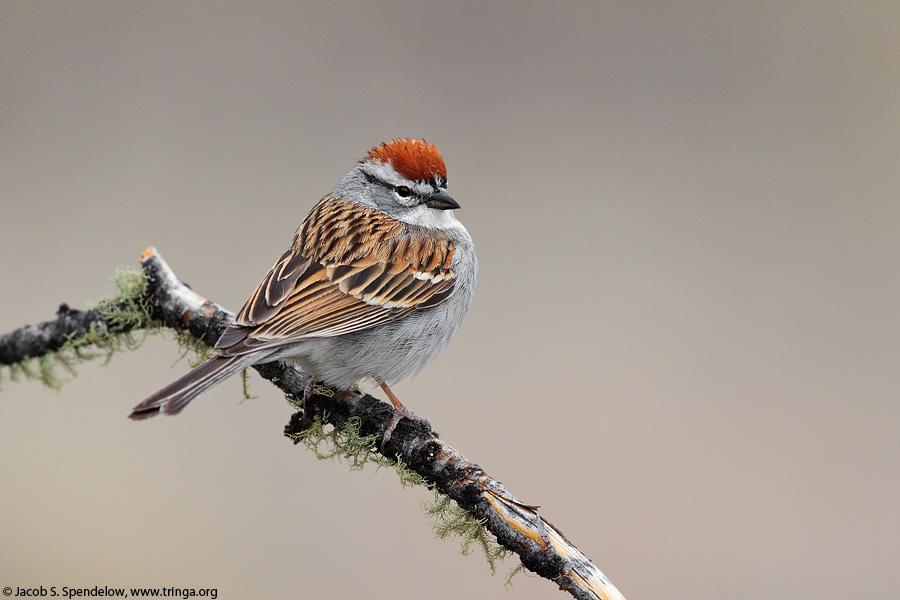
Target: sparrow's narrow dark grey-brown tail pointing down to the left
174,397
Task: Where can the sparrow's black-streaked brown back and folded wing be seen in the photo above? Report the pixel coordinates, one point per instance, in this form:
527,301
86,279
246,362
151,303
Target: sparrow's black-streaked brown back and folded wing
349,268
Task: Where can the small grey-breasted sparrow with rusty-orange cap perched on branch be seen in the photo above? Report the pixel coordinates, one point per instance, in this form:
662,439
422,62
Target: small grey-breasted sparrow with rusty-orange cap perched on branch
376,282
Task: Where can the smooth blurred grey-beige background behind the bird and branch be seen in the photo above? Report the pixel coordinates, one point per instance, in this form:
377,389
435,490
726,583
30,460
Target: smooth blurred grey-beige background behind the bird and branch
685,340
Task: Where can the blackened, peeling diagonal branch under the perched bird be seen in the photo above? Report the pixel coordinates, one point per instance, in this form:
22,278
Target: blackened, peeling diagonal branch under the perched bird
517,526
